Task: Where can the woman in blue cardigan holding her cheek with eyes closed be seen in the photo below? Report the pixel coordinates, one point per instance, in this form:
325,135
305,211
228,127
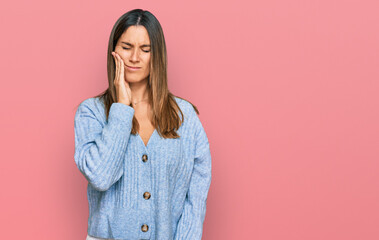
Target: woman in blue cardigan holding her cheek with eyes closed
143,151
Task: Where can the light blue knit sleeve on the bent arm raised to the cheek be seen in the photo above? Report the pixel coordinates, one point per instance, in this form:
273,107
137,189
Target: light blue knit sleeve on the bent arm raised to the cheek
100,149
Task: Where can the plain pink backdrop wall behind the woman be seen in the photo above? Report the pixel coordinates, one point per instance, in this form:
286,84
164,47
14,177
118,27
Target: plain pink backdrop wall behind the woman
287,92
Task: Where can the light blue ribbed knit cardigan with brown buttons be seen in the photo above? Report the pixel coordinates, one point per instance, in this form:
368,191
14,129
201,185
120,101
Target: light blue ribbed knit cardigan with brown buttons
119,169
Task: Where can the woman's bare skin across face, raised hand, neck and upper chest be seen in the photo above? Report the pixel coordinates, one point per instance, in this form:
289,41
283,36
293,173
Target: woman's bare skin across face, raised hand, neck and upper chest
131,86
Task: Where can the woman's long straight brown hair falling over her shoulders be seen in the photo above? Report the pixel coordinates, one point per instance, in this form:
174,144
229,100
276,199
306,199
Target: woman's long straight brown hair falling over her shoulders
165,110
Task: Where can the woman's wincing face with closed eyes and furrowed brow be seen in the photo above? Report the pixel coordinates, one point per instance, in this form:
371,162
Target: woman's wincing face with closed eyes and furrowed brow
134,48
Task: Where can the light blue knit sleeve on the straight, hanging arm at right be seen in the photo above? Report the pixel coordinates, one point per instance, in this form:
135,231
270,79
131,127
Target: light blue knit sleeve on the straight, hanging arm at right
190,225
